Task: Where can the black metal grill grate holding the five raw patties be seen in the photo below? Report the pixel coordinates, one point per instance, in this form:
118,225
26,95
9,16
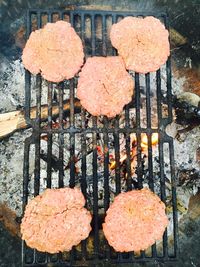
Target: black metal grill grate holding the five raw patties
72,130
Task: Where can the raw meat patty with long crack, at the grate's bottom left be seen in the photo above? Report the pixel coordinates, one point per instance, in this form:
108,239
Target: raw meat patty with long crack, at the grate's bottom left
56,220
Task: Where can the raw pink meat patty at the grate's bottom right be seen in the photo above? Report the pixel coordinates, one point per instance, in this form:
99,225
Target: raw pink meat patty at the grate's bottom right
135,220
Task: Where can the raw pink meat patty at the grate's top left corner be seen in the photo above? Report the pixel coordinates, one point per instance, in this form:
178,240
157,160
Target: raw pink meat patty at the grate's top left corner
56,51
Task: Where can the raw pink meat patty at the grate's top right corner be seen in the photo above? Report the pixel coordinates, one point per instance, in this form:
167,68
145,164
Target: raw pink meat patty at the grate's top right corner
143,43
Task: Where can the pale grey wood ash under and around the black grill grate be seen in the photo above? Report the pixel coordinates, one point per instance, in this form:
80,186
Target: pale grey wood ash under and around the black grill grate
12,149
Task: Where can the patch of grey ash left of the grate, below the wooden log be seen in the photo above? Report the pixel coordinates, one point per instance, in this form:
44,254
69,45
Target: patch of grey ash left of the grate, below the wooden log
11,168
